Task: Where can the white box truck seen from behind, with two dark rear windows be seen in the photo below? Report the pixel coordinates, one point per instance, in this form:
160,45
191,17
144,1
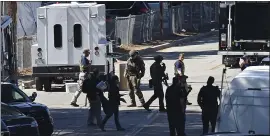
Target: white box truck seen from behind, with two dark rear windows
63,32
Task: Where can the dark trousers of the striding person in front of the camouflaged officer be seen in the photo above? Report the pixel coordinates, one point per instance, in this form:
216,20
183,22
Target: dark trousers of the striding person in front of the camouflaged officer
115,112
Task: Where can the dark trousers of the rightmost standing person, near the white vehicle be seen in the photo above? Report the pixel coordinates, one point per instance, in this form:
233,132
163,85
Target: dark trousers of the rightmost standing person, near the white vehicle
209,115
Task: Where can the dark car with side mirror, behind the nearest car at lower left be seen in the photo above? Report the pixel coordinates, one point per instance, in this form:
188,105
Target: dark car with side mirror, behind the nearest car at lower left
15,97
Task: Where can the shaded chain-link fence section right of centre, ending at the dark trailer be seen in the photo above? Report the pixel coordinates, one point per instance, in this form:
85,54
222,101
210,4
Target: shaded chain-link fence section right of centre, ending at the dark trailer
195,17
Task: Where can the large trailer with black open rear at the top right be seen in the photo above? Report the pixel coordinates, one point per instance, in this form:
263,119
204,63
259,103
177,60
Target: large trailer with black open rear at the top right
244,30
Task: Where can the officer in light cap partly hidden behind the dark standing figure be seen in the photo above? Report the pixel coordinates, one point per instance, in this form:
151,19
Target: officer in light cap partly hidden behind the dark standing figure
179,69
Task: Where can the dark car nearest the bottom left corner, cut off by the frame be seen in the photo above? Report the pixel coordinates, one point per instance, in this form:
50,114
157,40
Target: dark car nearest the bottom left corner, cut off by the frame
16,123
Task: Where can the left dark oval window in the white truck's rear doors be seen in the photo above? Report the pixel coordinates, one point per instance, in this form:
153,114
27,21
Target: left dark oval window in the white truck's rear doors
57,36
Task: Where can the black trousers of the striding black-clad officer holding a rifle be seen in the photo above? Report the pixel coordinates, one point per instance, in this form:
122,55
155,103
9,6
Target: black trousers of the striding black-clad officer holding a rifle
158,93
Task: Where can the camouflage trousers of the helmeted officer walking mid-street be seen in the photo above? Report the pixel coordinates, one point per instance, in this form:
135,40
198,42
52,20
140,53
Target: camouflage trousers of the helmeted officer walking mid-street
134,86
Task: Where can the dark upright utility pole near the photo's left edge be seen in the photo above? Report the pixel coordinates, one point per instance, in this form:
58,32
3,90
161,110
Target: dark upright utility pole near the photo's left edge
12,12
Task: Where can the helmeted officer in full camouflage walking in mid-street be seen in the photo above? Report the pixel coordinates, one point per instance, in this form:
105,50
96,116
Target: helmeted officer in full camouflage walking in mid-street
135,70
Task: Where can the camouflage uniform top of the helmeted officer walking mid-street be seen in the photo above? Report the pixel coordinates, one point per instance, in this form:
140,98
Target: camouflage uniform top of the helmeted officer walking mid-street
134,67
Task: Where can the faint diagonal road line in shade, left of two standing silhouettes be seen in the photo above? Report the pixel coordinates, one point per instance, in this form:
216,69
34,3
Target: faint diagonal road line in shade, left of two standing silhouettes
150,118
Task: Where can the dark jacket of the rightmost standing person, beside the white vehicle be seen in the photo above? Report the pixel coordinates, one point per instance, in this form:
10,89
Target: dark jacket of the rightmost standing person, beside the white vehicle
208,96
